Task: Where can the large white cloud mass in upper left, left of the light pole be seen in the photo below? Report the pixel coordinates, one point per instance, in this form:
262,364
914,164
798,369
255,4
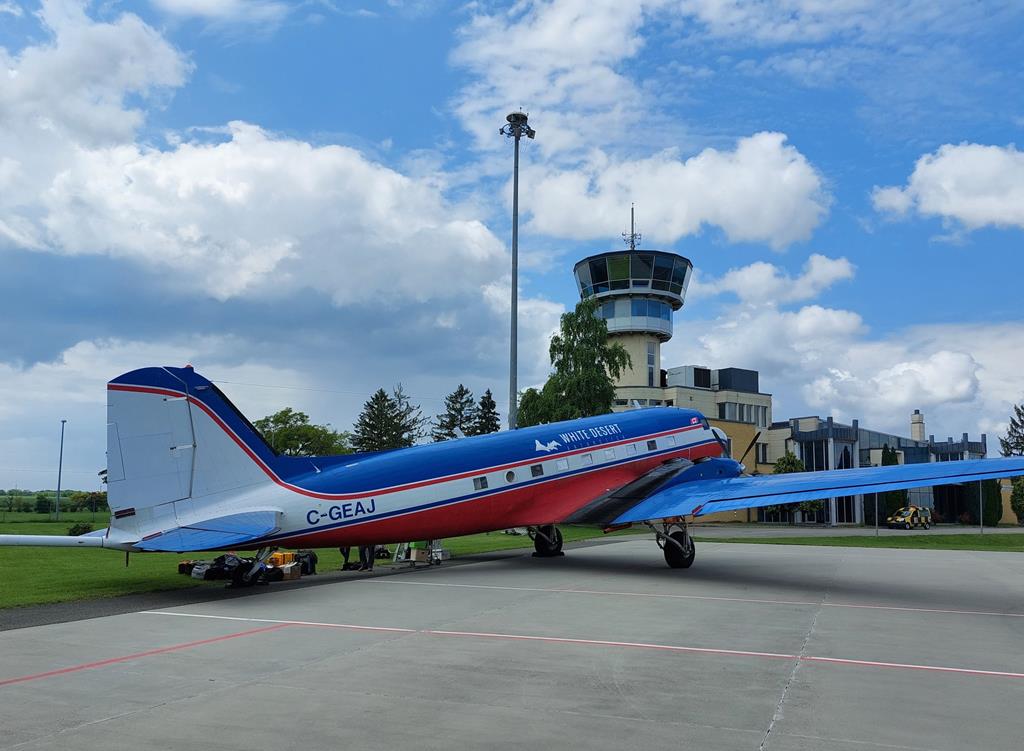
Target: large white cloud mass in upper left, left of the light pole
249,214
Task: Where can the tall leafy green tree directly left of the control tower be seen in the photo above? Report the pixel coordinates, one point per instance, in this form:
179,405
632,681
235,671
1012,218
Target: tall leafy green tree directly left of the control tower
586,366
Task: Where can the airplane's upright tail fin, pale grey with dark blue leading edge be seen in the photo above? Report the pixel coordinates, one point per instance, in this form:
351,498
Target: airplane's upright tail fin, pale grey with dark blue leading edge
174,438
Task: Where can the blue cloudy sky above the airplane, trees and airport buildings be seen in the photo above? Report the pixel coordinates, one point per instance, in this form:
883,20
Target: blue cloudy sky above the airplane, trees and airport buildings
310,200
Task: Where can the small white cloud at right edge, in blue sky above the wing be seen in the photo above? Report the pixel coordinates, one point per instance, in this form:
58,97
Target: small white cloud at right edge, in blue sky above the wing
971,184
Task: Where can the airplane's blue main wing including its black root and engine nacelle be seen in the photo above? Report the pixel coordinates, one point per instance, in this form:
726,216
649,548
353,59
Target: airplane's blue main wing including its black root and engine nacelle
686,490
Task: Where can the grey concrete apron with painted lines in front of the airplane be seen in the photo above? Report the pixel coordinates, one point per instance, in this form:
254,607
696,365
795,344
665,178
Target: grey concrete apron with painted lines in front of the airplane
755,647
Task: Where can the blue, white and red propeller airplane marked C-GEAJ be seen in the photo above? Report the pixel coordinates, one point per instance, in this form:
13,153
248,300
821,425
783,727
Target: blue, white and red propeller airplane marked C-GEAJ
187,472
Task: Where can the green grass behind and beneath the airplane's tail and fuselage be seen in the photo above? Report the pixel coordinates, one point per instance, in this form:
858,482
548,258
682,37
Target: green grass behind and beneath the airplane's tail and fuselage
40,575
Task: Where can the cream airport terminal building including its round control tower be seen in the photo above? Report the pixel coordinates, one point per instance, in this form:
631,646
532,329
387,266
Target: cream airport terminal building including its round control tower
639,290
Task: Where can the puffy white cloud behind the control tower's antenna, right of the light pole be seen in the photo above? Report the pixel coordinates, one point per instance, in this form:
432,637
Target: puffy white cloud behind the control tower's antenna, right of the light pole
762,191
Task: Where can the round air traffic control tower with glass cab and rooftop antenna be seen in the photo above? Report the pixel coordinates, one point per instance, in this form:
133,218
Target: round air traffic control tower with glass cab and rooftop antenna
637,293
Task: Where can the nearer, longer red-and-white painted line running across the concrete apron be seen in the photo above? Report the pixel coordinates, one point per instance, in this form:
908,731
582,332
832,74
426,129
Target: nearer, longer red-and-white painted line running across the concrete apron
606,643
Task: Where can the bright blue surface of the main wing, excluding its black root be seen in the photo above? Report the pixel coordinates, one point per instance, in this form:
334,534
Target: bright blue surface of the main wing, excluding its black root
708,496
